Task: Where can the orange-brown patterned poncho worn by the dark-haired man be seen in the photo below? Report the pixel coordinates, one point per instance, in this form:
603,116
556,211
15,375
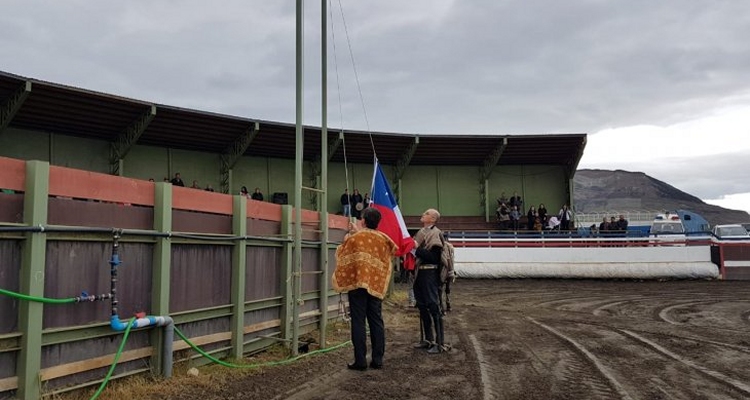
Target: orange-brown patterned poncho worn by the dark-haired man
364,261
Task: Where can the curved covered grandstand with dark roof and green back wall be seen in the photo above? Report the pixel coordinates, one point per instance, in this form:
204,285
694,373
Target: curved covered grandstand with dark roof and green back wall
460,174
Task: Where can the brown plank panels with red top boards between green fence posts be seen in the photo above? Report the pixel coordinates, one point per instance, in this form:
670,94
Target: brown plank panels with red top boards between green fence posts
78,343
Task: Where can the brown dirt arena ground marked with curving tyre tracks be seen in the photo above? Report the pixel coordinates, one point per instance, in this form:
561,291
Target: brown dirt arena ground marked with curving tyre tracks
537,339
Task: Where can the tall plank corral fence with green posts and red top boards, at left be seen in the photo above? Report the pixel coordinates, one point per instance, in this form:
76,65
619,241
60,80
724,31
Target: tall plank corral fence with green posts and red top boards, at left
220,266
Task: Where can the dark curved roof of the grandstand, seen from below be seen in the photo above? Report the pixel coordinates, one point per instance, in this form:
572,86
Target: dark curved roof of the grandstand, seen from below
84,113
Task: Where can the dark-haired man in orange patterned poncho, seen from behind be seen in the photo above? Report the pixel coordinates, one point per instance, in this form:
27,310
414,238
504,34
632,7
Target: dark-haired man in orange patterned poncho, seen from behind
363,269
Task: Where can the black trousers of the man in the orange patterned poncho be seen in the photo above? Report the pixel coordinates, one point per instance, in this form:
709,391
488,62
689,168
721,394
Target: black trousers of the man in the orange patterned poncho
363,306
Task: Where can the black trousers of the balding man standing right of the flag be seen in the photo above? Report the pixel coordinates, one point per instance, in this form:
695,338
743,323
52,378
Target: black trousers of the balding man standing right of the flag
427,294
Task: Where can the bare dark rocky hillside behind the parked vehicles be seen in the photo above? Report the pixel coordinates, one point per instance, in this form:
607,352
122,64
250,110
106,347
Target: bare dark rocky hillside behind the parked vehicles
619,191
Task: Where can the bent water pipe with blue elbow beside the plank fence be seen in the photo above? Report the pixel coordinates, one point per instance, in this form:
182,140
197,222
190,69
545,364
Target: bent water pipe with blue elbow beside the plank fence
120,325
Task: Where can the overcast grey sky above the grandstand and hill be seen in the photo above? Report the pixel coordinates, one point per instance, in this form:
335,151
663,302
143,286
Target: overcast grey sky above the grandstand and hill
661,87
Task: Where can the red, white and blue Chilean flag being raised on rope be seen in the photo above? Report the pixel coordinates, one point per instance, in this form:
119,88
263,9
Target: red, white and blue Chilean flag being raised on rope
392,222
